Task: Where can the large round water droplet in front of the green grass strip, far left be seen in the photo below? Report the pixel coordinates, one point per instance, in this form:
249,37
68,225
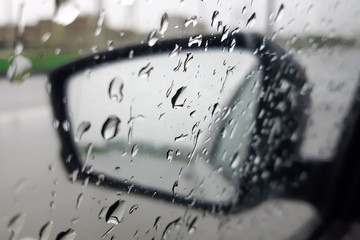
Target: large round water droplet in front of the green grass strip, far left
19,69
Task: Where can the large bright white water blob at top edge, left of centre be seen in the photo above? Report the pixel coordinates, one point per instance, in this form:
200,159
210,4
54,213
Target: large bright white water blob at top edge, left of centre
66,12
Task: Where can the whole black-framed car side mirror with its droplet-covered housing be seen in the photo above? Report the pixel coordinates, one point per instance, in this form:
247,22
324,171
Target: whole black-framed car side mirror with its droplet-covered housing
177,121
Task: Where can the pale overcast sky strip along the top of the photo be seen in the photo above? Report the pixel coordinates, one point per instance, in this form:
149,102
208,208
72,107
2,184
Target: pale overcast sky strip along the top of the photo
299,16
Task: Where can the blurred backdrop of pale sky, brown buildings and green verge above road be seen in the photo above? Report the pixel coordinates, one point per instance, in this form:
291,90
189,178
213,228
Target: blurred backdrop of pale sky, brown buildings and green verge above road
51,32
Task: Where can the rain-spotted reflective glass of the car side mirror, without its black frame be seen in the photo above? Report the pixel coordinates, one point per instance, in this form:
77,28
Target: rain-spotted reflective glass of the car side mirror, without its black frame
177,124
